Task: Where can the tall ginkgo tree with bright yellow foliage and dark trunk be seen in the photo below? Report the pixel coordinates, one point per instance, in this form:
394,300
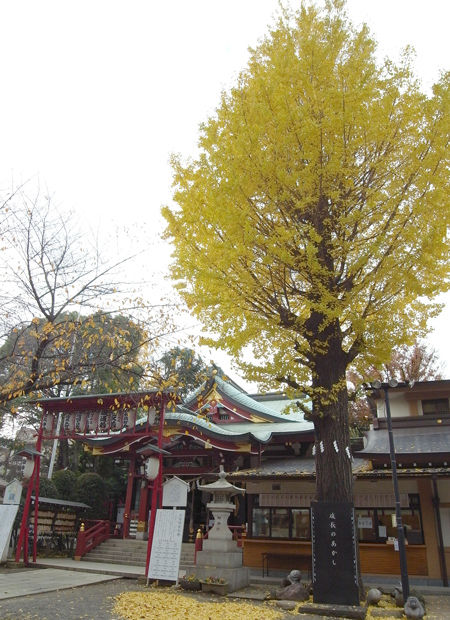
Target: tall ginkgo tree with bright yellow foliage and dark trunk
310,233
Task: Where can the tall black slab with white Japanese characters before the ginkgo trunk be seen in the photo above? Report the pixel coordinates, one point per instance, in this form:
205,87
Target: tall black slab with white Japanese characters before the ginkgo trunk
335,560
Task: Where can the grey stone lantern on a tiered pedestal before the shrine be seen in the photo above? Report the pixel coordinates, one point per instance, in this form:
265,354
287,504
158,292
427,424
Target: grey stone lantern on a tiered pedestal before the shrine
221,556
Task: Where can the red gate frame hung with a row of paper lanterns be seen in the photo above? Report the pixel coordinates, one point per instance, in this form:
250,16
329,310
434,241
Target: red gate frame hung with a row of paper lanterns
134,415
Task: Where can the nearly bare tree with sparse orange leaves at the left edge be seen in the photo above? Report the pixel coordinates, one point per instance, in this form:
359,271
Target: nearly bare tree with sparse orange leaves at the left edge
62,322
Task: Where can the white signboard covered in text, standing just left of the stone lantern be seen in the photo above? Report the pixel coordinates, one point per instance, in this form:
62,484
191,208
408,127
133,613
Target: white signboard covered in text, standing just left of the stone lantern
166,545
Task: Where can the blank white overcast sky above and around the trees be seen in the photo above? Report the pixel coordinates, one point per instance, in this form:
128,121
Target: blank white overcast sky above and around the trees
96,94
